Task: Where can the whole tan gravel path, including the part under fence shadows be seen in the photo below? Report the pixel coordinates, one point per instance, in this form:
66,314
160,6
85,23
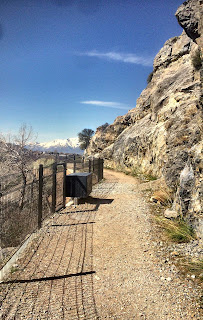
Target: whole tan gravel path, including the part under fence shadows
99,261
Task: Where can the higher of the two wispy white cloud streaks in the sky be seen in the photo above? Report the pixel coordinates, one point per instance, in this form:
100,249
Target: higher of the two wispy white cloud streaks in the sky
122,57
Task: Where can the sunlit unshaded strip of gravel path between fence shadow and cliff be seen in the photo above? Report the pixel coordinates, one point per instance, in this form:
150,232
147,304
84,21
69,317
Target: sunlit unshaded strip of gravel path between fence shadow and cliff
132,280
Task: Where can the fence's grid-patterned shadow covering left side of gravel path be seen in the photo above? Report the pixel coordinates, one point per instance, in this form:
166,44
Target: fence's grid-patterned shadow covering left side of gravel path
56,281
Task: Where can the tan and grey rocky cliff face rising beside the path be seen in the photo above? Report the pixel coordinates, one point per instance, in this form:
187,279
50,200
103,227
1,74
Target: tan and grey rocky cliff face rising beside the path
162,135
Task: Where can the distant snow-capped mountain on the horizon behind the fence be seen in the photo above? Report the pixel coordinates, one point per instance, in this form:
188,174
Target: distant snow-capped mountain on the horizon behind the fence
70,145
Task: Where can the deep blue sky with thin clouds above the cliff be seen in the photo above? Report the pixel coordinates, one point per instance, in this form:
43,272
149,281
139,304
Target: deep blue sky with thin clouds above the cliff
66,65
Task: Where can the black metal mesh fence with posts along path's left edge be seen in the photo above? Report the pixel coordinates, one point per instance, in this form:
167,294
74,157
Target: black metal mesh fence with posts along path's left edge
25,201
